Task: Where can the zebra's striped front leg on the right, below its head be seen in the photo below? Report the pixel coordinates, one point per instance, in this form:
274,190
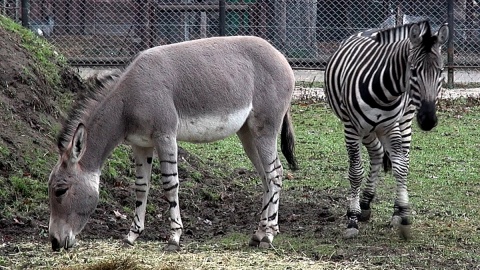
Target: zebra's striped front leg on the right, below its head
400,164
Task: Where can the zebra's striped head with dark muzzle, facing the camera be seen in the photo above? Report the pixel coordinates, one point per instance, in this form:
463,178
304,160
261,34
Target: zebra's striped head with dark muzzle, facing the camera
426,66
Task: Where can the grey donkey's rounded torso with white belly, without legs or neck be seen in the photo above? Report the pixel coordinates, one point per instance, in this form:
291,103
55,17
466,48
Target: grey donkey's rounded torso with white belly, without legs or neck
210,86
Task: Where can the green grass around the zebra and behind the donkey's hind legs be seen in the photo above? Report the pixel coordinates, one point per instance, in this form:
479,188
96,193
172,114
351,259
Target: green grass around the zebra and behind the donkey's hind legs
443,187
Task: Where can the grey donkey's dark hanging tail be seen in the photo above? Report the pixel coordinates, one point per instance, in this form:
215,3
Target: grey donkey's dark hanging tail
287,141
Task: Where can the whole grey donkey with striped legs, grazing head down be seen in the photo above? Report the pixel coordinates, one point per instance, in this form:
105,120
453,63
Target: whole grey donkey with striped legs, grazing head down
195,91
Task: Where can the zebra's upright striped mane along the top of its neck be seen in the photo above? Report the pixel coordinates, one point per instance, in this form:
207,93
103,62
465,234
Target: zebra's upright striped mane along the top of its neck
398,33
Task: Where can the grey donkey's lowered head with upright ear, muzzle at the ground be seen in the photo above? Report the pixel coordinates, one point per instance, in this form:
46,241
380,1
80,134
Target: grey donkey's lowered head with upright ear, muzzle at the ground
73,192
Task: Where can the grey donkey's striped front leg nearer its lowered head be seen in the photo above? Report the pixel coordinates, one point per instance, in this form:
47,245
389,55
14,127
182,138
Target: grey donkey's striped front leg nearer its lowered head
143,165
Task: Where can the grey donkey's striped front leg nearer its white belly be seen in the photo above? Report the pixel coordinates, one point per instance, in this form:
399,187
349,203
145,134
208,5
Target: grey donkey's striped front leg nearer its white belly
167,154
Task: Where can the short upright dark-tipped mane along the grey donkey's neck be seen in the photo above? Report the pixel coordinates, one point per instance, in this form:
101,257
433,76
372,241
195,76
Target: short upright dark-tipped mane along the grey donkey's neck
82,107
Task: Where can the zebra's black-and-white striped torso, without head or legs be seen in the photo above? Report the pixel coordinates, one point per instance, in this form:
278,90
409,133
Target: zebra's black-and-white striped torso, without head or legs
361,81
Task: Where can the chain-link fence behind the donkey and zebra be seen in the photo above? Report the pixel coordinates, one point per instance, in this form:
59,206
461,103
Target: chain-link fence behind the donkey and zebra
107,32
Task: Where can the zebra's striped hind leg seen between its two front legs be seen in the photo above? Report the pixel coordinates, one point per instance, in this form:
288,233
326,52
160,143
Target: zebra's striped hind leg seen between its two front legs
375,152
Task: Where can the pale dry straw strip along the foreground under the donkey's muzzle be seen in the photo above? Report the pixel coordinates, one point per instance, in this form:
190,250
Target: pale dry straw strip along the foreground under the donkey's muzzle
112,255
